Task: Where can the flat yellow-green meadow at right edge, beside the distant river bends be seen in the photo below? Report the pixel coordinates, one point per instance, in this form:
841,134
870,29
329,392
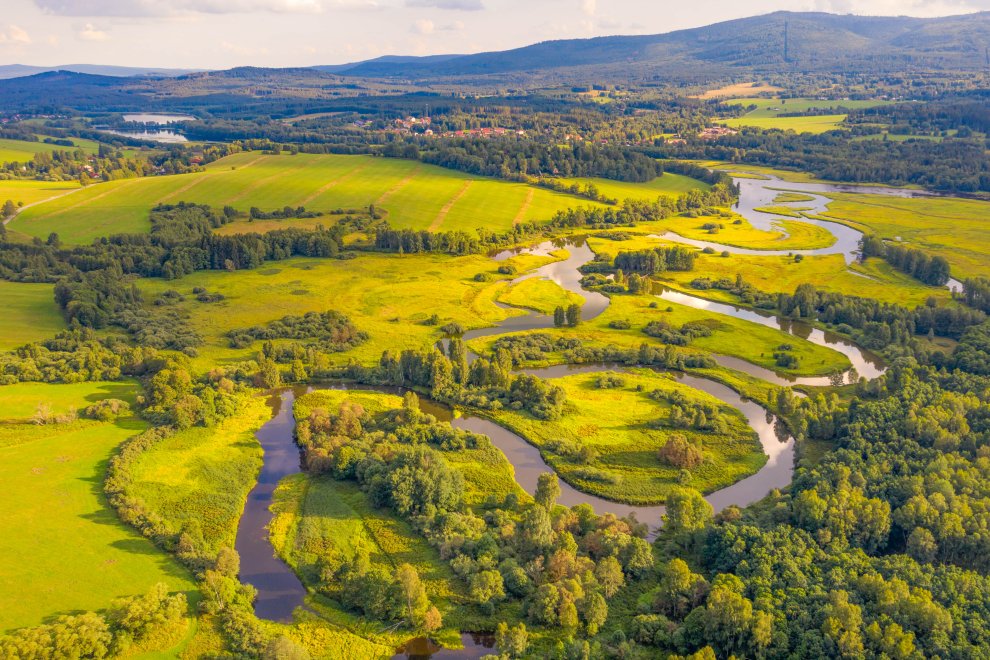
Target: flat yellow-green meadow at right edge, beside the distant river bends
951,227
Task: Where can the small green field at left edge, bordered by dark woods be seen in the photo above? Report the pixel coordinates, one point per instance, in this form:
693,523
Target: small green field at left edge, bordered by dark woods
30,313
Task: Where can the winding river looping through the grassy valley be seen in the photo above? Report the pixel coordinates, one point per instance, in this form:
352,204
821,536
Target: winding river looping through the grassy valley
281,592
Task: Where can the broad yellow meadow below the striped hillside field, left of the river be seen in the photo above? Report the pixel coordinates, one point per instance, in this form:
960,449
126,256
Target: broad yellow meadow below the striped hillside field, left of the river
388,296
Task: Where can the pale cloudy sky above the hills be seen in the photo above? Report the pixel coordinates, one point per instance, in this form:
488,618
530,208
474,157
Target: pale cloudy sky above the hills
215,34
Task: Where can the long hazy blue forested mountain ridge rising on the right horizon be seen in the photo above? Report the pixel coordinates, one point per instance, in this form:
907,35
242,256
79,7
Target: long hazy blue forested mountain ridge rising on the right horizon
814,42
